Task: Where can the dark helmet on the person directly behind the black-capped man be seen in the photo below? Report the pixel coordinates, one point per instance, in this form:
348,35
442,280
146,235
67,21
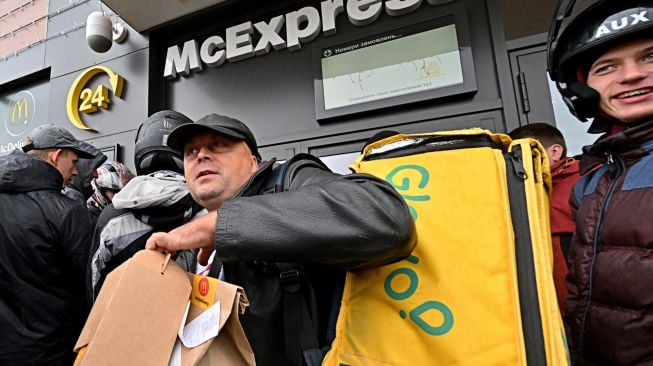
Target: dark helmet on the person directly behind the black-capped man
151,153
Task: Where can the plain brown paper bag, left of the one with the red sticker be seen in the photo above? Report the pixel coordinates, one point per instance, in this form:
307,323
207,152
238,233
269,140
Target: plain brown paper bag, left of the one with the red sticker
137,314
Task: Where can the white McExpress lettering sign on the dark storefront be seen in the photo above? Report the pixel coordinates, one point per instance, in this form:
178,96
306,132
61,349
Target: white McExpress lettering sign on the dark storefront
302,26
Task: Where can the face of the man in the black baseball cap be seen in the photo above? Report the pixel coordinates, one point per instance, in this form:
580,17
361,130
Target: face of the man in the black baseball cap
215,167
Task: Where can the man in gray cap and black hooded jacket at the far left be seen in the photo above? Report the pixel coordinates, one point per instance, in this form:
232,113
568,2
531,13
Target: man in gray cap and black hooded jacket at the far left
44,238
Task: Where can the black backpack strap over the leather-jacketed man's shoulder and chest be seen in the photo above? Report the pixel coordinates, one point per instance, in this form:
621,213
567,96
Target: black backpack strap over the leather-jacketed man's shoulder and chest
304,349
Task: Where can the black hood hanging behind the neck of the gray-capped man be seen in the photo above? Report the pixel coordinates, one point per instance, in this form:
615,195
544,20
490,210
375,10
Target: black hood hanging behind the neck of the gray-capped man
21,172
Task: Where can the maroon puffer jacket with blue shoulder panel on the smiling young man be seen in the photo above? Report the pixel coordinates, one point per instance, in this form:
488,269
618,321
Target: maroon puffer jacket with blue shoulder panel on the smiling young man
609,308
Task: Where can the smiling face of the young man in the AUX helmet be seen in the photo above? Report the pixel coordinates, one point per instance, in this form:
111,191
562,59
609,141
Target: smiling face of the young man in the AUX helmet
623,76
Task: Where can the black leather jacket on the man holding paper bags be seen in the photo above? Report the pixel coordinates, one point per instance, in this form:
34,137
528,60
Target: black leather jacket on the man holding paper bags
329,222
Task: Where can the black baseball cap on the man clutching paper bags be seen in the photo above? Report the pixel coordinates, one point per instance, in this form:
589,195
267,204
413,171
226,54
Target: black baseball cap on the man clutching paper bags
213,123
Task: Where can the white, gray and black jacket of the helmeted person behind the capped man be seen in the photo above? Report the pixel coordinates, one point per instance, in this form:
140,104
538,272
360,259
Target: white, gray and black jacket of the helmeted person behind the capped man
155,202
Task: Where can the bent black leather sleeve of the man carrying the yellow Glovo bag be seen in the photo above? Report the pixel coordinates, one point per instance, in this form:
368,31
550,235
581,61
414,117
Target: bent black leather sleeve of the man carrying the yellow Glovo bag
351,221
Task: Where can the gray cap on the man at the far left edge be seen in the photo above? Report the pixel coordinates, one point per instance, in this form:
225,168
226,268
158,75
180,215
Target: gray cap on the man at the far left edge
50,137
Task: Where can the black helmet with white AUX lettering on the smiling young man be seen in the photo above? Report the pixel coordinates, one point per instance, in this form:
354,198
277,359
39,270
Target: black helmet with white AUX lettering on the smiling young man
580,32
